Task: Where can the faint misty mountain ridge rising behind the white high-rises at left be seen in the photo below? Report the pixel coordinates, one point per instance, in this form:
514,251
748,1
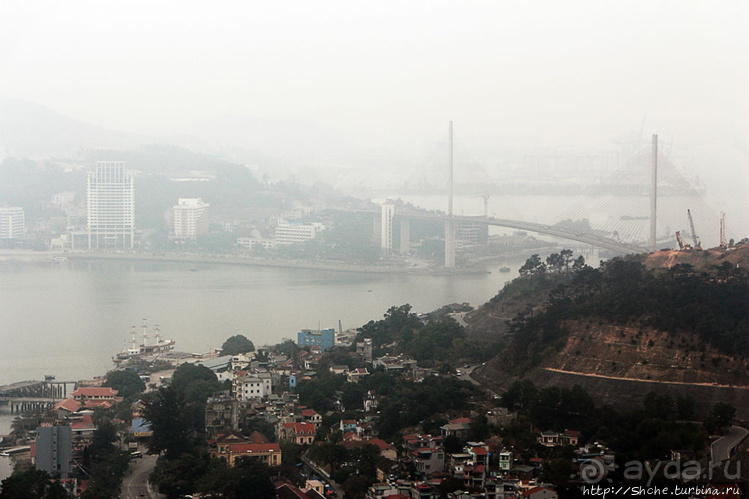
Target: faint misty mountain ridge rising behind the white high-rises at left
279,149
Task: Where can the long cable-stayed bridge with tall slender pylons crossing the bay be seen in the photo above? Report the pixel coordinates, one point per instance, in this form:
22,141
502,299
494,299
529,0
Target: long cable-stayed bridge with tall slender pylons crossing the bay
638,208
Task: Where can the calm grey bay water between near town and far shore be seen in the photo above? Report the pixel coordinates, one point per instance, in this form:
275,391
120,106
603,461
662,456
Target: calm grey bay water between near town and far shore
69,319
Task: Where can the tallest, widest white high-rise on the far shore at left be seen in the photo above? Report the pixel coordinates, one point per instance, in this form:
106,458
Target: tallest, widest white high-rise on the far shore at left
110,201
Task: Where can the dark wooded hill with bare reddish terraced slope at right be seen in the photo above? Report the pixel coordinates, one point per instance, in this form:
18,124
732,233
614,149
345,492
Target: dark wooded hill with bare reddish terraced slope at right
629,319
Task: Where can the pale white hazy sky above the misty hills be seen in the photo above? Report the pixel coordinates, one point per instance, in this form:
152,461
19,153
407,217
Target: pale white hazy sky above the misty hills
575,72
